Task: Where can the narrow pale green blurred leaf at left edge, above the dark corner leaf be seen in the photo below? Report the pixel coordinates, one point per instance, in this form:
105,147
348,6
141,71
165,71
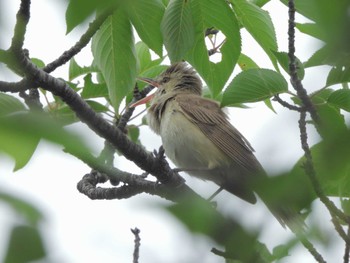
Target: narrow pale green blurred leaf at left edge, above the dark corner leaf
31,214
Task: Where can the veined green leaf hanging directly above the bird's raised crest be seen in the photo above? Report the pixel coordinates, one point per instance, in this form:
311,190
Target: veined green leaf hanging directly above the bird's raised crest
178,29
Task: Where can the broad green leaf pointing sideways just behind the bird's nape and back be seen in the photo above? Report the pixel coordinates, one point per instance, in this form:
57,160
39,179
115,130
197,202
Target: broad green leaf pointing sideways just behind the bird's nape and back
254,85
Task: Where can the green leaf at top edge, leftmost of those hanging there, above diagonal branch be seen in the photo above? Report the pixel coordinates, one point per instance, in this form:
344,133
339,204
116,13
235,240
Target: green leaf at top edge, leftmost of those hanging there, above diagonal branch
79,10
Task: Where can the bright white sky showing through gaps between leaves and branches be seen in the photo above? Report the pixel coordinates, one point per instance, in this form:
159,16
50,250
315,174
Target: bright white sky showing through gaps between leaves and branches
80,230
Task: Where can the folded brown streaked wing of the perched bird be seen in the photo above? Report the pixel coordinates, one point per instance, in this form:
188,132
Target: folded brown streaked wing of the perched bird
212,121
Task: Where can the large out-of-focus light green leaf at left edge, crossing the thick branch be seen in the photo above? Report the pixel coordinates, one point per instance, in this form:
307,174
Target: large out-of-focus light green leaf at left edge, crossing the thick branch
20,134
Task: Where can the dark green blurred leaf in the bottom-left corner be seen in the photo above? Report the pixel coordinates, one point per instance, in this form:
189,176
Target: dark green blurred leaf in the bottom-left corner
25,245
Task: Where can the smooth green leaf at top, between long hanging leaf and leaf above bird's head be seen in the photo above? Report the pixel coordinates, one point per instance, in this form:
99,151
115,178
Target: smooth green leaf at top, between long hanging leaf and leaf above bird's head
146,16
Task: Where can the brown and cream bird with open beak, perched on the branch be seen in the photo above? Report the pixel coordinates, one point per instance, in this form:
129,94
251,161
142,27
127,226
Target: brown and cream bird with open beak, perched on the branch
198,137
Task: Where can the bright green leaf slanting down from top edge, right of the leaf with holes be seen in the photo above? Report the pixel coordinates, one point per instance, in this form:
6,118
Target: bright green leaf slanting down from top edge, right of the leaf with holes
259,24
